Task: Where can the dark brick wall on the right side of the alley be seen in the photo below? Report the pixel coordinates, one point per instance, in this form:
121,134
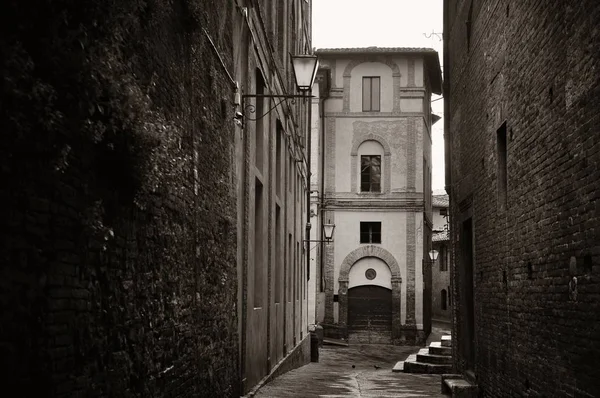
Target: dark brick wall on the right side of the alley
534,65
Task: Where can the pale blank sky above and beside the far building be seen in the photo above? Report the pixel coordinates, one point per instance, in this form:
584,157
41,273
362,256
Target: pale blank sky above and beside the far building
385,23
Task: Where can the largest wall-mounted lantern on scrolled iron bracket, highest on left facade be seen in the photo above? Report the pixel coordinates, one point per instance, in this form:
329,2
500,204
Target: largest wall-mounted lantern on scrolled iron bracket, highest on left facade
305,68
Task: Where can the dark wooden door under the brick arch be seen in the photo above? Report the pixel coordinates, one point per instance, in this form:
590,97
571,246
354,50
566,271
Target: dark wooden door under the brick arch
370,315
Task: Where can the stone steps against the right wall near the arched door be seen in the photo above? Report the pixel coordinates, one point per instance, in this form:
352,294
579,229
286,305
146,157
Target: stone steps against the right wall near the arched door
435,359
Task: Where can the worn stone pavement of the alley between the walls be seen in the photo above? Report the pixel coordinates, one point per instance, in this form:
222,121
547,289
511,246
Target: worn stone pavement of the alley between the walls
334,375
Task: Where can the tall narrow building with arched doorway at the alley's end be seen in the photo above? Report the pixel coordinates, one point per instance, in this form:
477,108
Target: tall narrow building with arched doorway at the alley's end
372,179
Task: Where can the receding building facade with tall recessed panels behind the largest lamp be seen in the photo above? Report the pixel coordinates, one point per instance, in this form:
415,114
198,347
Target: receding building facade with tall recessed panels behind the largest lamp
271,174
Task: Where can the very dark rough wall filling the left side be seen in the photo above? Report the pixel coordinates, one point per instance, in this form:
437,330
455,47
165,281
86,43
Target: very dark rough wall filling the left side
117,223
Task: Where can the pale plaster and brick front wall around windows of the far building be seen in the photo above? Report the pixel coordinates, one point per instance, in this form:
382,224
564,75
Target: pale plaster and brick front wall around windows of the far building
399,136
